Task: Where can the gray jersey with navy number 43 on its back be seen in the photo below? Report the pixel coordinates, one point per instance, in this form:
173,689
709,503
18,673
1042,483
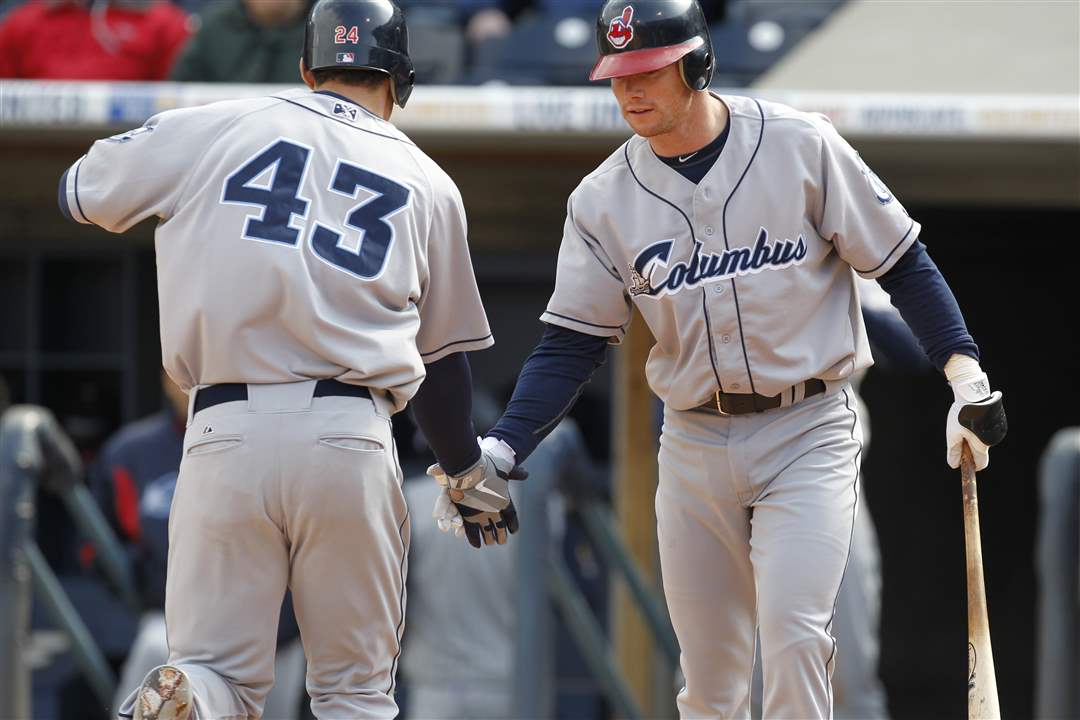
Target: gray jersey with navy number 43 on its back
301,237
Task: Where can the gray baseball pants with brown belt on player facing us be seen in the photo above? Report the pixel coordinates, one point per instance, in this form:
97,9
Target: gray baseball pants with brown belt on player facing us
755,517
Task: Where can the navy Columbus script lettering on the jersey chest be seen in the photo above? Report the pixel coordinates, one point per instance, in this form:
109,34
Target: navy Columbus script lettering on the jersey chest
706,268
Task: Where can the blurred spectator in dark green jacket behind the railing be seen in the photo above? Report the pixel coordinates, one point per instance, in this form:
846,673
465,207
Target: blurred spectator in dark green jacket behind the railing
247,42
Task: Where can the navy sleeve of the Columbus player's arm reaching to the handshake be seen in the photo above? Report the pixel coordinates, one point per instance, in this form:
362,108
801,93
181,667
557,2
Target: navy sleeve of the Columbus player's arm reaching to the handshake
550,384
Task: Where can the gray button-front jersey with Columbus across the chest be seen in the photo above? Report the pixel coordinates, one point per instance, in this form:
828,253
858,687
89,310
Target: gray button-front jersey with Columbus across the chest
746,279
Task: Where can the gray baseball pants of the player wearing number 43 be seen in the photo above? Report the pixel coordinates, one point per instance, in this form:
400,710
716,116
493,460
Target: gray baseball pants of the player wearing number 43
291,491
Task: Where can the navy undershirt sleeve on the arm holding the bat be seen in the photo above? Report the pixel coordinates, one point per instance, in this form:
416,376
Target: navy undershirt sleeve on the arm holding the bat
920,292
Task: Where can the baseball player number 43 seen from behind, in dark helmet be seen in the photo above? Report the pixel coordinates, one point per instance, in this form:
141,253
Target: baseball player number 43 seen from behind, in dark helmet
313,270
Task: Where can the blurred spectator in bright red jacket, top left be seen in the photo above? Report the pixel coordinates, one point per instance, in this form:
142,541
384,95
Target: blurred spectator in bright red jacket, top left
92,40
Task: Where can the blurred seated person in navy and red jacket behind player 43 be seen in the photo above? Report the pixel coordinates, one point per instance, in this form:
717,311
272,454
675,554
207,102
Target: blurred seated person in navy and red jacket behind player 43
133,481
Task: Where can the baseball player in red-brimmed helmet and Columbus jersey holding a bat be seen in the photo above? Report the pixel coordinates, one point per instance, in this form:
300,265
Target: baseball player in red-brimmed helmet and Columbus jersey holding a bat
736,228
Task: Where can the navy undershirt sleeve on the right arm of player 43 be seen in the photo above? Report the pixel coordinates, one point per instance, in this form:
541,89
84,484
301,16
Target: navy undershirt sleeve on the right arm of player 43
443,412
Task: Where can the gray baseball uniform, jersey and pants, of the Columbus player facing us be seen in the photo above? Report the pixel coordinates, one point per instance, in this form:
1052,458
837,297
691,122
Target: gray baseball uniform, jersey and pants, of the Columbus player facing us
747,281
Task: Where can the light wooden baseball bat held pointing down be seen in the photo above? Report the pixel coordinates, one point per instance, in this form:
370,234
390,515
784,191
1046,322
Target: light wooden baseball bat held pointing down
982,682
